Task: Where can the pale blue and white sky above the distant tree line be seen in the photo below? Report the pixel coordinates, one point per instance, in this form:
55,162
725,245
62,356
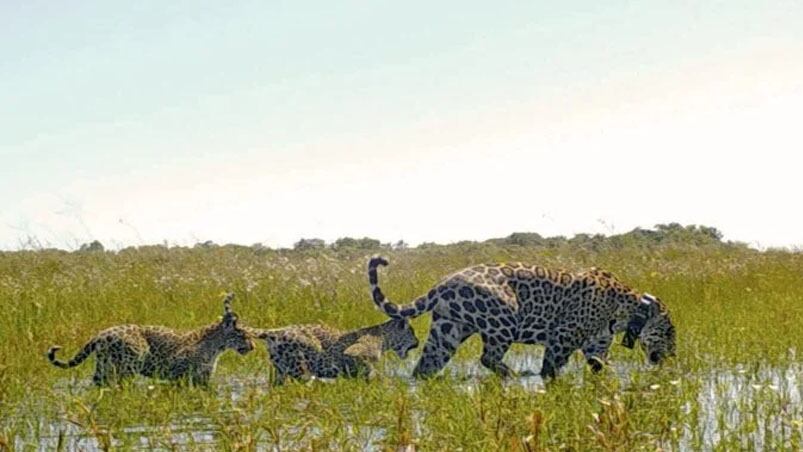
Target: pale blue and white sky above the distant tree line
242,122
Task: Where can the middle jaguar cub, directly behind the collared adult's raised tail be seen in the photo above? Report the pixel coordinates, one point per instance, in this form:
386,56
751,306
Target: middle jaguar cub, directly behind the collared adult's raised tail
302,351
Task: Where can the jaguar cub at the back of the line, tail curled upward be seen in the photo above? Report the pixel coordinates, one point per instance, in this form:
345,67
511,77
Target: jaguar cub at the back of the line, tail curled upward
154,351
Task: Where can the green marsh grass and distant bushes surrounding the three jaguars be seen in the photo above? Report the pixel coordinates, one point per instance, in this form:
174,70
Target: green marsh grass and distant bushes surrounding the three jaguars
736,383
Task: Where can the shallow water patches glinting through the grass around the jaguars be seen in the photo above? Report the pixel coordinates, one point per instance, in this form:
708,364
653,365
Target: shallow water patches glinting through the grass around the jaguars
739,400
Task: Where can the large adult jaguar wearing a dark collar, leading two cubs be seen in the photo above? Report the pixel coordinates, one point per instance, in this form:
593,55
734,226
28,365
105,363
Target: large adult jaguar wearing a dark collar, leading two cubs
519,303
